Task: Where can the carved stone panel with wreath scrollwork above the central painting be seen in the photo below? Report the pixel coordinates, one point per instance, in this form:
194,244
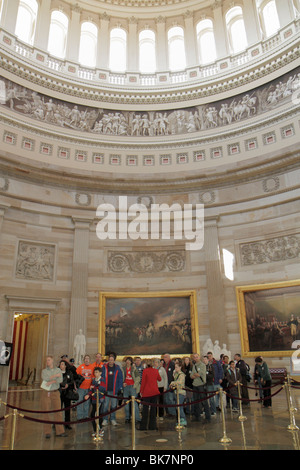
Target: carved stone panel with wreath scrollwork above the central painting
146,262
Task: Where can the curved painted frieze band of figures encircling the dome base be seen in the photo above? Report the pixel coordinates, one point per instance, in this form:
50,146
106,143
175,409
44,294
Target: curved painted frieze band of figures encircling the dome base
149,123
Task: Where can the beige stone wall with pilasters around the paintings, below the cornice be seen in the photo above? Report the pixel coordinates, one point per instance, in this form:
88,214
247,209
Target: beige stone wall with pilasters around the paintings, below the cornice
53,262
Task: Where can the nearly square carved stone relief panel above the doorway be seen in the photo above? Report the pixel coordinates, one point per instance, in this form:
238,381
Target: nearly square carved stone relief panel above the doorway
35,261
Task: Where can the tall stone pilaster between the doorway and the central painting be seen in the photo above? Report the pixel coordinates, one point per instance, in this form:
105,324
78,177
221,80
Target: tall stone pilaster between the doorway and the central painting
79,291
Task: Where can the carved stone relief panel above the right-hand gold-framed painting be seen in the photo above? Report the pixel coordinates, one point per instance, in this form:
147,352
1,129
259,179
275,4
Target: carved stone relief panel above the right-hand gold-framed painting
268,251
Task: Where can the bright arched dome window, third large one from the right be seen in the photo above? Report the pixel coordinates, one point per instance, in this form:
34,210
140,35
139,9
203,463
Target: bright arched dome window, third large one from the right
206,41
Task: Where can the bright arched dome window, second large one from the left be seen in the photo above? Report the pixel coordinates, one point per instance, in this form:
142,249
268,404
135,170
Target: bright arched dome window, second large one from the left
58,33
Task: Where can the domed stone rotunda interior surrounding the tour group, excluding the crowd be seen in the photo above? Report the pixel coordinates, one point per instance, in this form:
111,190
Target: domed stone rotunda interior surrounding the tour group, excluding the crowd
149,203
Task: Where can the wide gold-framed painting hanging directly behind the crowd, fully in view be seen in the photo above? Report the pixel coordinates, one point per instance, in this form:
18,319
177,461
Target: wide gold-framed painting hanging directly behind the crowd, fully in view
148,324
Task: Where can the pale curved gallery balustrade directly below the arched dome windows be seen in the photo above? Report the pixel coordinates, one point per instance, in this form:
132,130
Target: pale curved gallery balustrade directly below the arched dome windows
228,65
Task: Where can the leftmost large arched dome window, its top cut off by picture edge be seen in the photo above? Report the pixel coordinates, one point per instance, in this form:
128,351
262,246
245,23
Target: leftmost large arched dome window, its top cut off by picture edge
26,20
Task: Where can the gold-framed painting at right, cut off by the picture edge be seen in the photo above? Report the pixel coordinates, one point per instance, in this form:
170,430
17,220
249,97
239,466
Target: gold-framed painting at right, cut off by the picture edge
269,318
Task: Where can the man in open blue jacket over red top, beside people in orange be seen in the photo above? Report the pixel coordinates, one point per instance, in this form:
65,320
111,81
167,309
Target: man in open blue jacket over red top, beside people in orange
112,380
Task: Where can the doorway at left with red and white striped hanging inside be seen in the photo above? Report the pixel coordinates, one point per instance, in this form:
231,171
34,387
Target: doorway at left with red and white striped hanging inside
30,344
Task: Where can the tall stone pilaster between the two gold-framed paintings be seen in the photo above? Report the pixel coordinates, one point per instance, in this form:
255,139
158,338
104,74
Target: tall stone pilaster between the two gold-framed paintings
214,282
